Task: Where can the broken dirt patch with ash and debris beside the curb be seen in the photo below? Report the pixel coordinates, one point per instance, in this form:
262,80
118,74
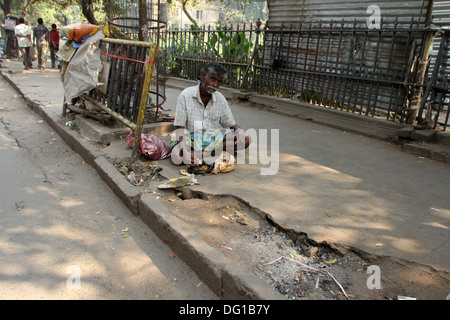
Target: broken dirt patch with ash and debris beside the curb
296,266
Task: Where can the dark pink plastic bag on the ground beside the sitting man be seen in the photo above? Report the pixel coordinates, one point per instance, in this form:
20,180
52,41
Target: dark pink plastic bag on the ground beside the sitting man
150,146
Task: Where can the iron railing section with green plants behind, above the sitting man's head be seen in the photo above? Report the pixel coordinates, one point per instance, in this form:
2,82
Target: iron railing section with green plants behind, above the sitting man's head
235,46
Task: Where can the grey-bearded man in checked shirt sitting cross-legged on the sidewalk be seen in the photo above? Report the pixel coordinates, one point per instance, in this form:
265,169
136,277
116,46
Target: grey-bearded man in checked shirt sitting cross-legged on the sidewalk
204,123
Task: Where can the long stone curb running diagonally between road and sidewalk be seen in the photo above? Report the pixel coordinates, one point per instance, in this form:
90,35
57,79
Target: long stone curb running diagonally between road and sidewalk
229,281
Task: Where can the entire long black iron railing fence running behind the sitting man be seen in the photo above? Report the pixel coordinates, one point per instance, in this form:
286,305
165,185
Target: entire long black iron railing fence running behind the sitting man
373,72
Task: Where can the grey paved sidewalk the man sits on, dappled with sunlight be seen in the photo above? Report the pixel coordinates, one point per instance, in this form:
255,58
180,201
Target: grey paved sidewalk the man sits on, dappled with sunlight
331,184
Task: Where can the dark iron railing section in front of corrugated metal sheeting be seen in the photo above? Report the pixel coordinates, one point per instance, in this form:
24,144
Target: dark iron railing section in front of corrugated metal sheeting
355,69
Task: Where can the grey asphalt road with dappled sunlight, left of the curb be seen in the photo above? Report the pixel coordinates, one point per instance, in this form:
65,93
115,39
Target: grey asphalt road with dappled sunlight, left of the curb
63,233
